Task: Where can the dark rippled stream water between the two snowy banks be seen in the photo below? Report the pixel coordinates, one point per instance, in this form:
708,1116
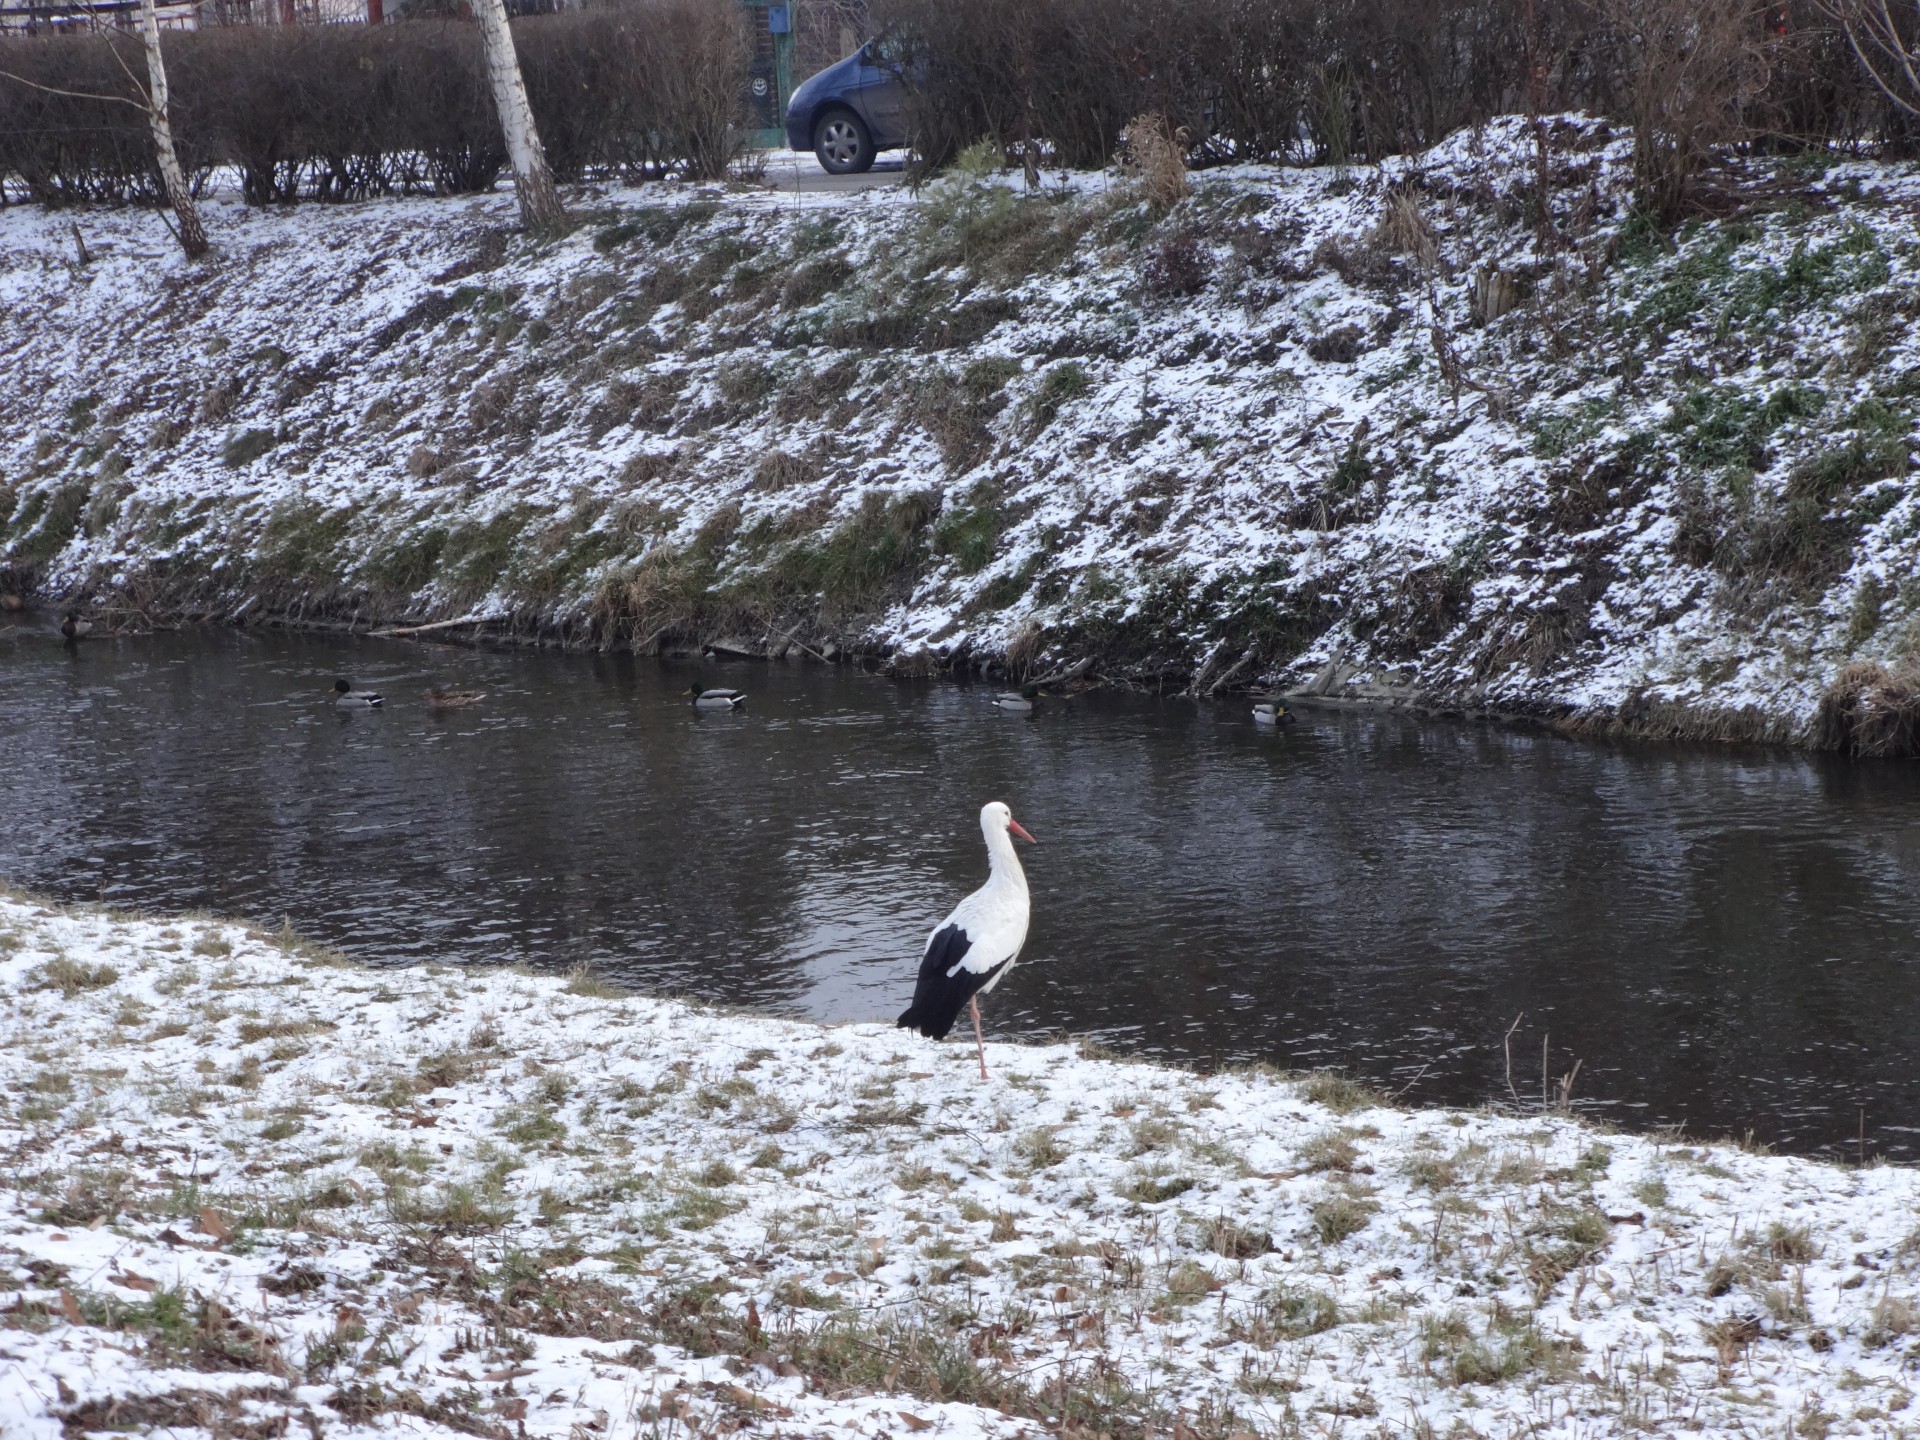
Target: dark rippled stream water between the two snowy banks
1721,938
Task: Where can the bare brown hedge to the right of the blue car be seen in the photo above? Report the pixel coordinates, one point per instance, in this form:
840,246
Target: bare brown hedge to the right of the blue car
1301,82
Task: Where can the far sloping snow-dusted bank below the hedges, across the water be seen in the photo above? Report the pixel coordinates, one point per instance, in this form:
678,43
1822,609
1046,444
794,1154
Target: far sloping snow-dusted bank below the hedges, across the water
1381,433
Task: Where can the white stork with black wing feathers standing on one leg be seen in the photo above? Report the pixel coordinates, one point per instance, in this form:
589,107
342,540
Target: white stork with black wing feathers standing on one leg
978,944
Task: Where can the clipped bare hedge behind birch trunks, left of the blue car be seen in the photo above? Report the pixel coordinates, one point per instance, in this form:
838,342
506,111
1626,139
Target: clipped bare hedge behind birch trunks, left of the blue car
339,112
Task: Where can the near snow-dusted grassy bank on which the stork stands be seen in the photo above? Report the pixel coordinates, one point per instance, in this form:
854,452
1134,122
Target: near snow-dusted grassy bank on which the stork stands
249,1184
